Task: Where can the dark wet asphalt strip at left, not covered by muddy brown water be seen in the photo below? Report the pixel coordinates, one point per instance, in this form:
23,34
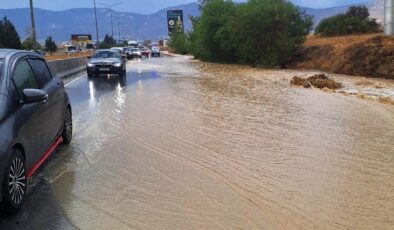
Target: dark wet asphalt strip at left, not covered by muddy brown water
41,209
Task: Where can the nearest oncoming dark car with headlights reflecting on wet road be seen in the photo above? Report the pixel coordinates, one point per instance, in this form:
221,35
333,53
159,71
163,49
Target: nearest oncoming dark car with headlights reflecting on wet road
107,61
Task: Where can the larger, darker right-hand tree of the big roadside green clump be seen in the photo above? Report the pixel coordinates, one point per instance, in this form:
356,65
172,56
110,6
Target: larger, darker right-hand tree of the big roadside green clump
267,32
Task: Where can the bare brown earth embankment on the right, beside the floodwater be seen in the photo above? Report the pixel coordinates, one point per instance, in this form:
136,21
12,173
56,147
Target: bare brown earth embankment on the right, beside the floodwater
365,55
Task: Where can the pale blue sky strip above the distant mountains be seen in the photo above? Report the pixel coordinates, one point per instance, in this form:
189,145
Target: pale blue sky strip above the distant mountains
145,6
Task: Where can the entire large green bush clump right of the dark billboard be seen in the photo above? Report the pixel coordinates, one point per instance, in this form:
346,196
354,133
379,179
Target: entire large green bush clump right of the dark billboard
258,32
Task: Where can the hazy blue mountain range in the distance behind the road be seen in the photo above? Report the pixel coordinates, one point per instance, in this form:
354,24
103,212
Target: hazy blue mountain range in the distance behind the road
61,24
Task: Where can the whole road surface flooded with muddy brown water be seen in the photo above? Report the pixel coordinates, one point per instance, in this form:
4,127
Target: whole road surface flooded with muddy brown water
179,144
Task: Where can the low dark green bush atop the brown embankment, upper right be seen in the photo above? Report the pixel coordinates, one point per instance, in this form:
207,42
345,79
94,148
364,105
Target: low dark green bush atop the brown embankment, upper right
355,21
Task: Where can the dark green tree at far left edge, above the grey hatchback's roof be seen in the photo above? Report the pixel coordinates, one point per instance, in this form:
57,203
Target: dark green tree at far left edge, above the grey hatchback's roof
9,37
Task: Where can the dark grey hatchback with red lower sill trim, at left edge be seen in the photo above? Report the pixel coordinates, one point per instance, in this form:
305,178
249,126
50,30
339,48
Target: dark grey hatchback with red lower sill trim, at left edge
35,116
